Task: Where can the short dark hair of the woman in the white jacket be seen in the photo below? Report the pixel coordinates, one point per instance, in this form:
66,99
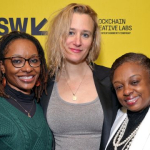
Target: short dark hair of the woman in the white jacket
138,58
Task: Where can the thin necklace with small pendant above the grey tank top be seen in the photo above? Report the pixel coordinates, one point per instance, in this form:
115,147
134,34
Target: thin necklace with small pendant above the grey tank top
74,98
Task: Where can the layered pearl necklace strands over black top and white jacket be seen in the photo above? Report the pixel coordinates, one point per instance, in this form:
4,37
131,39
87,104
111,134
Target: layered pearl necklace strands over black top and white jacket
127,142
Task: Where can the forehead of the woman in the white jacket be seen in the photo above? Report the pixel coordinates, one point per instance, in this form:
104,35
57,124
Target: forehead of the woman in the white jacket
128,69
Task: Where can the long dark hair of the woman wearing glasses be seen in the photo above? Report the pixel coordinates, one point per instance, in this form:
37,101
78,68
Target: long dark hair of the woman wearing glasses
6,39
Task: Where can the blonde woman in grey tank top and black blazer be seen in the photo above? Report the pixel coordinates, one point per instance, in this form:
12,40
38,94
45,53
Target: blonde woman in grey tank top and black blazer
79,106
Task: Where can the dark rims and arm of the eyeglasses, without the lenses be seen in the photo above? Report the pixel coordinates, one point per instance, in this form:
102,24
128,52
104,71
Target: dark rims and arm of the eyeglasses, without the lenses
24,61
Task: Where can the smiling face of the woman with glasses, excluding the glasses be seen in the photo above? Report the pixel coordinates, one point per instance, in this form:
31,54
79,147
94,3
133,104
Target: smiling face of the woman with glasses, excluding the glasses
22,79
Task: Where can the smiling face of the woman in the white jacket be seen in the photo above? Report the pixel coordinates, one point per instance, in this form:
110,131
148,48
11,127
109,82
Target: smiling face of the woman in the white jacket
132,84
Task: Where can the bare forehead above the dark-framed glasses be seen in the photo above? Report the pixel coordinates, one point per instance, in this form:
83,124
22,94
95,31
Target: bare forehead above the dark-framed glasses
21,47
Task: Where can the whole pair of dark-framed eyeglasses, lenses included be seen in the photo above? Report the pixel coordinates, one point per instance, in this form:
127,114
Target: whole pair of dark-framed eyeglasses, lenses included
19,62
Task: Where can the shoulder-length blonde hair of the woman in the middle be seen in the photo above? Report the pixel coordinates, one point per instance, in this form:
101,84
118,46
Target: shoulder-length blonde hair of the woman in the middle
58,31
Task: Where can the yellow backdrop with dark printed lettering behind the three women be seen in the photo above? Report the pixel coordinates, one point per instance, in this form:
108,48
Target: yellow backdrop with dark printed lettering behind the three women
125,25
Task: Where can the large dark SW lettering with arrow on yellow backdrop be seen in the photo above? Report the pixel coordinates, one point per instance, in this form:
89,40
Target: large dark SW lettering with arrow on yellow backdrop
21,25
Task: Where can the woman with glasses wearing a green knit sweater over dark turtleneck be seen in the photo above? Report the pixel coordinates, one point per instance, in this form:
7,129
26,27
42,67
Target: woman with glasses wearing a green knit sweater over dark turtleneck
23,77
